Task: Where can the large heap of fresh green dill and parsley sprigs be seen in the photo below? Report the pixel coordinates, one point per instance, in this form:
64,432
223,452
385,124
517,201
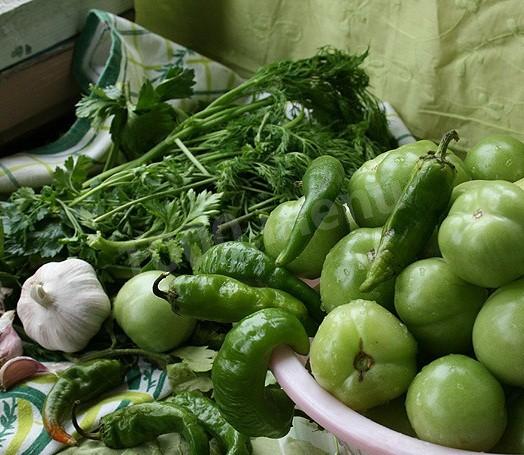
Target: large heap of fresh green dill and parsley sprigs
175,182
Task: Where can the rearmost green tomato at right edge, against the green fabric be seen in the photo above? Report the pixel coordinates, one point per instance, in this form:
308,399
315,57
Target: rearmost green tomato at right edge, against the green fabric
497,157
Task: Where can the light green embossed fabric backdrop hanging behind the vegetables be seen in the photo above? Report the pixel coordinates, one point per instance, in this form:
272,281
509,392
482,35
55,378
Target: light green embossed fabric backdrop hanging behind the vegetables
441,63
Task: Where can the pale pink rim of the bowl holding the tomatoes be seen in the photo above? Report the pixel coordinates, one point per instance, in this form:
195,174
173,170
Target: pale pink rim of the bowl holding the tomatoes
346,424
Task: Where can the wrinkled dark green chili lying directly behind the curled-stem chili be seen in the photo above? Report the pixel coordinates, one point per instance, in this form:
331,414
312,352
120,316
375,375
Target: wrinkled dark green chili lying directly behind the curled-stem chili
246,263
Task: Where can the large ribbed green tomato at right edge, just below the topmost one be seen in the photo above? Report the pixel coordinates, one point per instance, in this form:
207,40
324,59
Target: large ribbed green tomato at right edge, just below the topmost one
482,238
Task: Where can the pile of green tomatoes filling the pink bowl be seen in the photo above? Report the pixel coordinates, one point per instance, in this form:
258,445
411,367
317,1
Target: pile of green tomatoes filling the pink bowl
437,350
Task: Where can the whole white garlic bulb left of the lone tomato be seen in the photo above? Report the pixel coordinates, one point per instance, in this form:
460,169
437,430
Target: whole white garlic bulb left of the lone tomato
63,305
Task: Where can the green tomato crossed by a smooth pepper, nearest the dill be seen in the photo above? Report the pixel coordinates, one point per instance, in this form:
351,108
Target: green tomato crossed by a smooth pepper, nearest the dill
278,228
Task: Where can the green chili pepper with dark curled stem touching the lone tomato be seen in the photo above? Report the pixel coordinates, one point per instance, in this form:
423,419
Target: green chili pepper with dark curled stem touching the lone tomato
223,299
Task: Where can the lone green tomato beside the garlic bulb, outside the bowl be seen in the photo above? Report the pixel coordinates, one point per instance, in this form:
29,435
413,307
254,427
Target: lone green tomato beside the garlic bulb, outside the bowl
147,319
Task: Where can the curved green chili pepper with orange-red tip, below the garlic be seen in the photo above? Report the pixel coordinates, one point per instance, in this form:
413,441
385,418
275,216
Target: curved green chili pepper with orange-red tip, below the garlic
80,382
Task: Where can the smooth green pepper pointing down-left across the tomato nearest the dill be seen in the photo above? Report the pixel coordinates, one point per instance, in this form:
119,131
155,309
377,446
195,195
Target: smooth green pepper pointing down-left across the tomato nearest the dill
322,184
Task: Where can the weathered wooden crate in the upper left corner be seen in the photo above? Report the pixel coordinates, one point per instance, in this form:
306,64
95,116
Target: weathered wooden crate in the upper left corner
36,48
